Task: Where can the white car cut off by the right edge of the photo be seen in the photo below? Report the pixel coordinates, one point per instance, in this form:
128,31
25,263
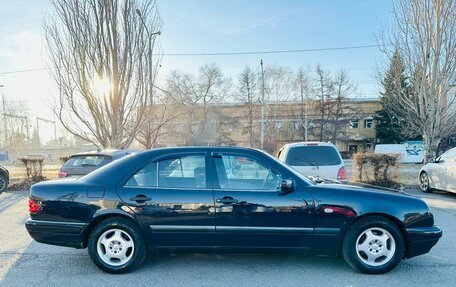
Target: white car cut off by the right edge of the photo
440,174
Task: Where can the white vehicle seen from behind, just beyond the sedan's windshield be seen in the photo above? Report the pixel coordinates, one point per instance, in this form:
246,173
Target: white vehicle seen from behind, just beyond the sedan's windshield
314,159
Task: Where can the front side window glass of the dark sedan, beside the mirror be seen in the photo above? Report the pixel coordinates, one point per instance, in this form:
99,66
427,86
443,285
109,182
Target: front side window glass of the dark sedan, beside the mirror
240,172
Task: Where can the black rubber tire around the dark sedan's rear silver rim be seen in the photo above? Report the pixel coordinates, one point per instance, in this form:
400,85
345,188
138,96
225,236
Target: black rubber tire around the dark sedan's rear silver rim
138,254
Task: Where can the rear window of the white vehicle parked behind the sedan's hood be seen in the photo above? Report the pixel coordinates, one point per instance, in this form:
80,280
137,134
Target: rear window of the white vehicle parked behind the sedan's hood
313,156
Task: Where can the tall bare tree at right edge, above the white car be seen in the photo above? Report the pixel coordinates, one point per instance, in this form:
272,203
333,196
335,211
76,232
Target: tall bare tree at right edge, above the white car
425,39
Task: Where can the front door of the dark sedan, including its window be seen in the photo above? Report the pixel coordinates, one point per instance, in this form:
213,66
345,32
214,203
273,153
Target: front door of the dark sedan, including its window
249,210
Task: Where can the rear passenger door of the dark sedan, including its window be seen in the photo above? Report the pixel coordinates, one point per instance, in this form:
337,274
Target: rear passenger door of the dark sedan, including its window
172,200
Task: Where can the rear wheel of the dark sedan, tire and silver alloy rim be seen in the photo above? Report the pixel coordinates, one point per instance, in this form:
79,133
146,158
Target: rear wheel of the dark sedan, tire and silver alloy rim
117,246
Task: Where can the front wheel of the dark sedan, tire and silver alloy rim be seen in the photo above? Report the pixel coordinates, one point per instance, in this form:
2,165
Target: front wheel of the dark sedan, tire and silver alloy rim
373,245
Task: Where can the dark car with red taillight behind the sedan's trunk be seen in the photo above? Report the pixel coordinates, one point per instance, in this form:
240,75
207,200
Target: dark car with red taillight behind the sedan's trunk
85,162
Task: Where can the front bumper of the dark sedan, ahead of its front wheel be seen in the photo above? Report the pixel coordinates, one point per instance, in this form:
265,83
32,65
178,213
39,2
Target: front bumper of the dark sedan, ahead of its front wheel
421,240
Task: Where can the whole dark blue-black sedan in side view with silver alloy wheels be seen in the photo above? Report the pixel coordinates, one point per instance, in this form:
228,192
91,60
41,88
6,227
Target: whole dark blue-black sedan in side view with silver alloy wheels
220,198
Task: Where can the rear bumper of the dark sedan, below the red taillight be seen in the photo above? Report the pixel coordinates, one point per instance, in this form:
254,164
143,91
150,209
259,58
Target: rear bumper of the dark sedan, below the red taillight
70,234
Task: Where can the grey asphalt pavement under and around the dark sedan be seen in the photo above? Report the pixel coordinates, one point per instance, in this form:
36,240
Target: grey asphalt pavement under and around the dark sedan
24,262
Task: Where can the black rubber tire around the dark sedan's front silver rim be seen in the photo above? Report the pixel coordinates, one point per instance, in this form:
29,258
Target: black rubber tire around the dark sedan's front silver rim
354,233
